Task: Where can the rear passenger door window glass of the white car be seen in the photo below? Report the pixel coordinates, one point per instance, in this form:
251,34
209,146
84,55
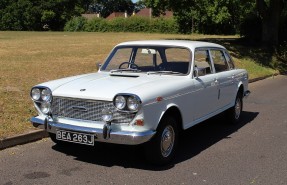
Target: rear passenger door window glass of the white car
219,61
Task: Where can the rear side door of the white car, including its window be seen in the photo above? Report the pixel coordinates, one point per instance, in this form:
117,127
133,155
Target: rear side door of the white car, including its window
225,77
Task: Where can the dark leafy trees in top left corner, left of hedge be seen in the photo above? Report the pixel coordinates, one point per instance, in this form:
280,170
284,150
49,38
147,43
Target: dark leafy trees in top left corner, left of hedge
34,15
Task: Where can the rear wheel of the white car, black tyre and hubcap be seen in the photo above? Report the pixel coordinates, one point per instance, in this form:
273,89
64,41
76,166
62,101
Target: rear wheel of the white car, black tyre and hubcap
234,113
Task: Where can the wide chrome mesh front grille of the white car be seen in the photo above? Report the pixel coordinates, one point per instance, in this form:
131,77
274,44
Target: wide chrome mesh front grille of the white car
89,110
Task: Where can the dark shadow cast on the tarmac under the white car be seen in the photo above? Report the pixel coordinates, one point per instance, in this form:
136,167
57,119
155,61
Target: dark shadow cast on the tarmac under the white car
192,142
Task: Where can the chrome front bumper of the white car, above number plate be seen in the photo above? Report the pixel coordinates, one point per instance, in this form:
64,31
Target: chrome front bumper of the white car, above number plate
118,137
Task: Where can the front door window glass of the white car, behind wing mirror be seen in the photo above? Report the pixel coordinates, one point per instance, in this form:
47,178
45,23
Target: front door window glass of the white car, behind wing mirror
202,62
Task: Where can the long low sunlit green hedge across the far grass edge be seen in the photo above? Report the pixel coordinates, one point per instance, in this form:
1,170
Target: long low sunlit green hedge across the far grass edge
131,24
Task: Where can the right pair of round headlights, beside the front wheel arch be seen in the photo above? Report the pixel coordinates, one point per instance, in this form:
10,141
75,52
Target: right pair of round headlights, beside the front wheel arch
127,102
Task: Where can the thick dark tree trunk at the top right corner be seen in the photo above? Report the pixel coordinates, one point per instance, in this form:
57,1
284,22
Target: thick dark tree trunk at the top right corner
270,20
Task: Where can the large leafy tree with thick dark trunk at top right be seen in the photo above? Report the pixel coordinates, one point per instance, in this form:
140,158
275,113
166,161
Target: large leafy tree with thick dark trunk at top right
224,16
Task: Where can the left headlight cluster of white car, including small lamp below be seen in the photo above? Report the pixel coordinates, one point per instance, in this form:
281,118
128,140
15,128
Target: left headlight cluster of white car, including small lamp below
42,97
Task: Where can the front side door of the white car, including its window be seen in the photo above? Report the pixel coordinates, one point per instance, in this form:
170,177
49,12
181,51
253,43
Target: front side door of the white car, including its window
205,85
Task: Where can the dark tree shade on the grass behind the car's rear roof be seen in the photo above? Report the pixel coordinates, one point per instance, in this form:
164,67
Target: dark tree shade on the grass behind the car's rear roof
240,48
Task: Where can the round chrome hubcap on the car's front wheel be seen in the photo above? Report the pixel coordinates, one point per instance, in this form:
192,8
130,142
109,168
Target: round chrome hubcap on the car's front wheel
167,141
